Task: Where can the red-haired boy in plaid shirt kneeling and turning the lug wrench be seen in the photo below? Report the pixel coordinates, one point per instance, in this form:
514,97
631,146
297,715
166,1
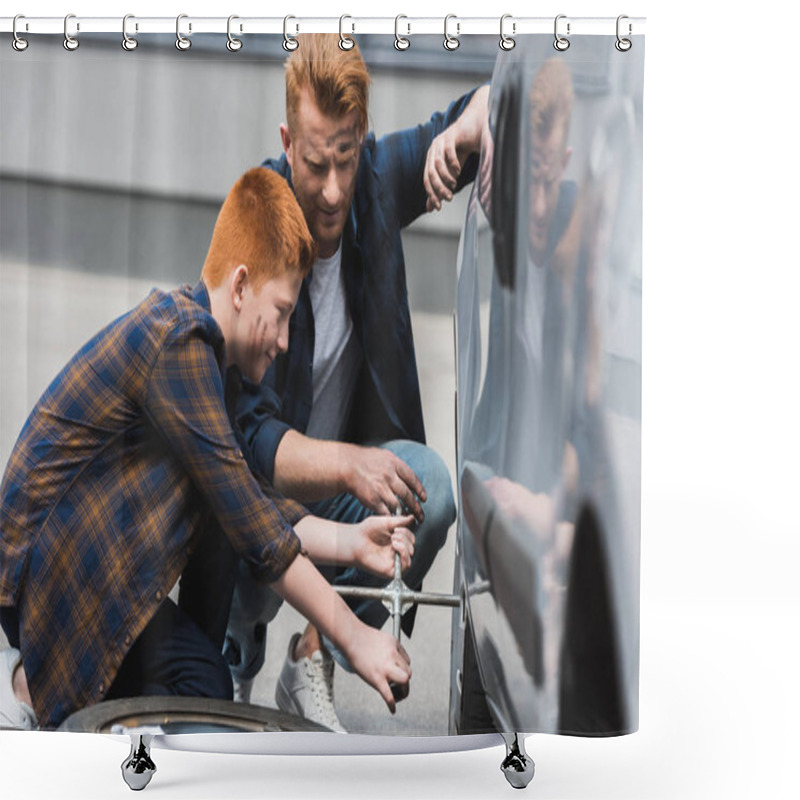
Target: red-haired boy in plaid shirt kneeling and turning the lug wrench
127,476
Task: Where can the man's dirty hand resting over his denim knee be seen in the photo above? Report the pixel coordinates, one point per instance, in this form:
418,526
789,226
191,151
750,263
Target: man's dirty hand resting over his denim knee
382,482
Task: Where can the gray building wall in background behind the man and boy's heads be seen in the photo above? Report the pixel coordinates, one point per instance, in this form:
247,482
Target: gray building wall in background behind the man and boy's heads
118,161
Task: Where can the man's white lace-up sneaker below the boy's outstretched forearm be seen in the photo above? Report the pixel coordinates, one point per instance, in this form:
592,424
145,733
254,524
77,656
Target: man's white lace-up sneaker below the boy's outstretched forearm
305,687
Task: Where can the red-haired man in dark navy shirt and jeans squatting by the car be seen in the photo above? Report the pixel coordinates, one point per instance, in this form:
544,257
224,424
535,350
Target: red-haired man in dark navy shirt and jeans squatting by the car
349,380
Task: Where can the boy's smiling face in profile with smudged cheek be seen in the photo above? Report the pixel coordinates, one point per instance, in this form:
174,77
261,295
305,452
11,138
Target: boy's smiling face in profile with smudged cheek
261,323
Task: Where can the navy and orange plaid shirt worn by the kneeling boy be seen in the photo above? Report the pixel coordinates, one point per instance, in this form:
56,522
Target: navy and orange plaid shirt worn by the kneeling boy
116,469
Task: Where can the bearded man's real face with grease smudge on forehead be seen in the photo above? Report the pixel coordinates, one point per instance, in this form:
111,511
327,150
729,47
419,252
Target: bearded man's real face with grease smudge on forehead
323,153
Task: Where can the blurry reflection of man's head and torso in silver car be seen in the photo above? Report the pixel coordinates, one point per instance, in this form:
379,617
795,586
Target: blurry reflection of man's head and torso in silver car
526,322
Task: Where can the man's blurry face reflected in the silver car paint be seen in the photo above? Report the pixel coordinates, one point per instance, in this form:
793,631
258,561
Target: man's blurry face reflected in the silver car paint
548,160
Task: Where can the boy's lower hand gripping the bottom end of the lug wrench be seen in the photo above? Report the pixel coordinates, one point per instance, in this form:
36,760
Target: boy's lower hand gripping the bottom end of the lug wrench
380,659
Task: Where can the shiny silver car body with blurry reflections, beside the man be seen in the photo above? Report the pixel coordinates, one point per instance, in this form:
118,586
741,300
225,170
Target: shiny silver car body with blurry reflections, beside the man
549,409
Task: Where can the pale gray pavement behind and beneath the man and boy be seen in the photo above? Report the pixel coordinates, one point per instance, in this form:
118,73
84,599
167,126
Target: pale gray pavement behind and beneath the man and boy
46,313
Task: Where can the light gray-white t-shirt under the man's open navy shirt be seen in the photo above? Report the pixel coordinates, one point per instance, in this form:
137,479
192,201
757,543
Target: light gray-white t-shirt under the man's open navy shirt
337,353
